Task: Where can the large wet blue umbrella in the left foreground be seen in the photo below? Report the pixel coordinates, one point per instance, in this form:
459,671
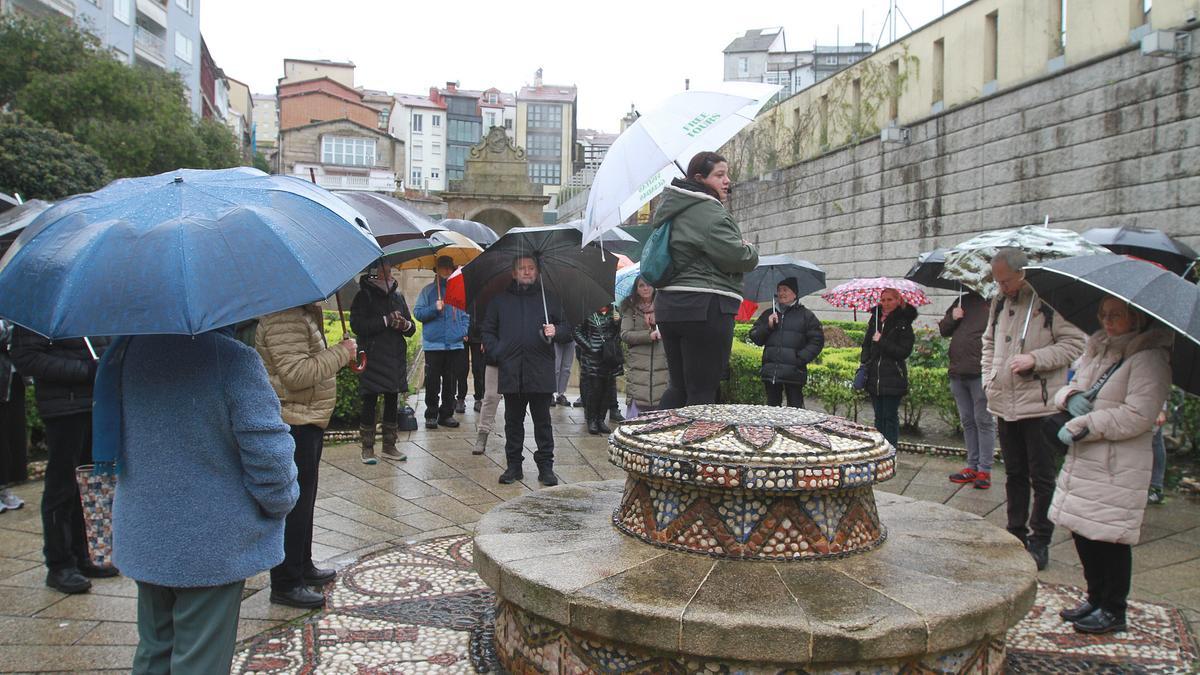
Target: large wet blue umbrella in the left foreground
182,253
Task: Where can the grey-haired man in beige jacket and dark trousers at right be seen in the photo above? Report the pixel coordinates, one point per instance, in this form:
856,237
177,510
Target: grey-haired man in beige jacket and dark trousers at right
1021,378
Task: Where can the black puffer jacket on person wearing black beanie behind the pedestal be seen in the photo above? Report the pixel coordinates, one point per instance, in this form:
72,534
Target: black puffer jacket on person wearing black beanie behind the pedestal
791,347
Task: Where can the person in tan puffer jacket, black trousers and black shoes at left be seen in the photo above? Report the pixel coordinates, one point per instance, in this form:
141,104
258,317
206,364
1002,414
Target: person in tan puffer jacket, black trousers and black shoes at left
303,369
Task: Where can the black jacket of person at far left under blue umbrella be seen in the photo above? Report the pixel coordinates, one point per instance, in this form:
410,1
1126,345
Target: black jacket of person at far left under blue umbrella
63,372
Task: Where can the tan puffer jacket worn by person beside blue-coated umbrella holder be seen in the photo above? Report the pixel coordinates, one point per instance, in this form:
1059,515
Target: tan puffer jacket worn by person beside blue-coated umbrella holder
302,366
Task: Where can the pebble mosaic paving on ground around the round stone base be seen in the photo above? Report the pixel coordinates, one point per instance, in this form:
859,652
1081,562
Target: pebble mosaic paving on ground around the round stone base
369,629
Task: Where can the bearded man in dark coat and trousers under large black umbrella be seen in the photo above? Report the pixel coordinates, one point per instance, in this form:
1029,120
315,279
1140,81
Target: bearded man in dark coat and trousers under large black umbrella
519,334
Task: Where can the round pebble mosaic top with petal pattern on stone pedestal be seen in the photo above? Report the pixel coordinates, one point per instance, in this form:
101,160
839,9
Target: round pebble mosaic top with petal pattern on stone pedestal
753,449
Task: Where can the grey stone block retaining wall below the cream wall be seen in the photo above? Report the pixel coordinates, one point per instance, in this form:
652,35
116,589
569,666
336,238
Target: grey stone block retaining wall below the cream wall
1112,142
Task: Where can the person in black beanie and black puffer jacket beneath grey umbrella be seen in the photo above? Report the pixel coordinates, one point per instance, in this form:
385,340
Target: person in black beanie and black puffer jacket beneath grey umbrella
791,338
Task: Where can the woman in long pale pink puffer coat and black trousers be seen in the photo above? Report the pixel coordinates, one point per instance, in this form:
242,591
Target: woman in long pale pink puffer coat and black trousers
1120,386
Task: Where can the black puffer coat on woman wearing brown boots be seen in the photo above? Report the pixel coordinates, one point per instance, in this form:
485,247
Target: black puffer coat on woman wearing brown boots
387,348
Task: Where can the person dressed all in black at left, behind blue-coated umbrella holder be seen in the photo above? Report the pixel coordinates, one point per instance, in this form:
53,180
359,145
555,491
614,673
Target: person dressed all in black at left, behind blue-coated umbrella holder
64,373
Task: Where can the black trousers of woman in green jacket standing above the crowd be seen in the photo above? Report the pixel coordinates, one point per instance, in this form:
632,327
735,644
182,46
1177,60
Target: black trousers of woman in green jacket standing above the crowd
698,353
